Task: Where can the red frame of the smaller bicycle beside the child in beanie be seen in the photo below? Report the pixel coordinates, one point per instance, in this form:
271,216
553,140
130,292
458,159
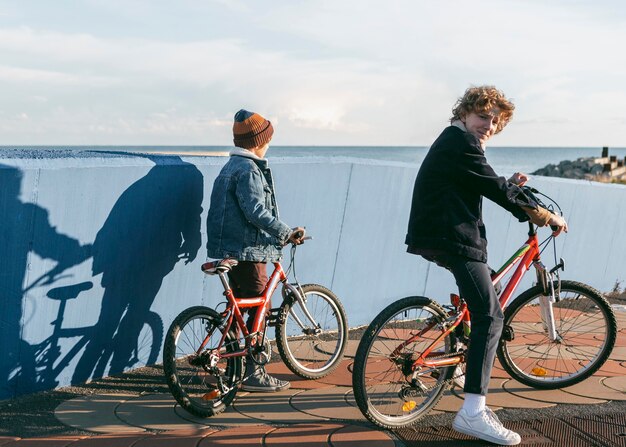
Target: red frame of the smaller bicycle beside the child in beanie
234,314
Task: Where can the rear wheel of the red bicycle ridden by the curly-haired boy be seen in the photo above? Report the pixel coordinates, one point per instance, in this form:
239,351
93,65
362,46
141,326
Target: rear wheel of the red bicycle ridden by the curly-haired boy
382,384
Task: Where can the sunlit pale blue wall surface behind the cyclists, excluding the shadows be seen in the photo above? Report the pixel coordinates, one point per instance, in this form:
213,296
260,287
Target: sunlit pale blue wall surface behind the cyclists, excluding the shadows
356,210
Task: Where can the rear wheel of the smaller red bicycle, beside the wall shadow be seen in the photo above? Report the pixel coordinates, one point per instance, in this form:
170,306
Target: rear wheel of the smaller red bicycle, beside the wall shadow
194,385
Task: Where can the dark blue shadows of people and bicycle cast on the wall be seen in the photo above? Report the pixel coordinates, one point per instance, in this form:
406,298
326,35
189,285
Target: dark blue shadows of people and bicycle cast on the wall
154,224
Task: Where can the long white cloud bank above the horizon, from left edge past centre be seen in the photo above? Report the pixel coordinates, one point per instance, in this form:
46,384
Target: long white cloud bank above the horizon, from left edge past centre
322,94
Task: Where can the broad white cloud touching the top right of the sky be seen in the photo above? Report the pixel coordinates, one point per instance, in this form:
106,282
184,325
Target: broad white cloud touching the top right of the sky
533,36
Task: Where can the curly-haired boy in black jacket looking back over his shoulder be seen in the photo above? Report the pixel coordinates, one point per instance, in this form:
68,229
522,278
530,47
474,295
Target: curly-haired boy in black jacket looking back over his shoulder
446,227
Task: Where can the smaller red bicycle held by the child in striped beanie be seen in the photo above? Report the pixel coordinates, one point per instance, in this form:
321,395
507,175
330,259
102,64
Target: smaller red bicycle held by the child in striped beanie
205,348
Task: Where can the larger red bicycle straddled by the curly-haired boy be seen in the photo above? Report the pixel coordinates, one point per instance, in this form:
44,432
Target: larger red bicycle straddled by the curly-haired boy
556,334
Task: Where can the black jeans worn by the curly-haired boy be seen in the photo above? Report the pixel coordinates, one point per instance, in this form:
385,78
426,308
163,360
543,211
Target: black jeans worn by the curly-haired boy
474,281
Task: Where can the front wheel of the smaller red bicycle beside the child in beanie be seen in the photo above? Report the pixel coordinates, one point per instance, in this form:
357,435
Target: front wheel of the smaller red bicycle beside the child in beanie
312,355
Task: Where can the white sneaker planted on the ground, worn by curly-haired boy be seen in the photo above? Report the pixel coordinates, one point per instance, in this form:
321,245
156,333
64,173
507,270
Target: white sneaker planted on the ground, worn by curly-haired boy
486,426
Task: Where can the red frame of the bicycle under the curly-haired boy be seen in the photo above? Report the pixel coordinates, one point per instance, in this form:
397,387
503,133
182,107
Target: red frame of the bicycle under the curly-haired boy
527,255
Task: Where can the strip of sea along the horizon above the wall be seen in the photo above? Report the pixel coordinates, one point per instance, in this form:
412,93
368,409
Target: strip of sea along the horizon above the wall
504,160
